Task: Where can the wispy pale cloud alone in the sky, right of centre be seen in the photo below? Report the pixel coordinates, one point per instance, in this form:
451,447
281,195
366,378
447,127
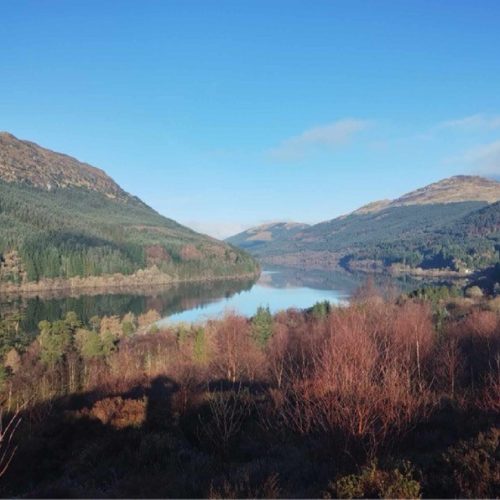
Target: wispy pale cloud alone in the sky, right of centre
330,135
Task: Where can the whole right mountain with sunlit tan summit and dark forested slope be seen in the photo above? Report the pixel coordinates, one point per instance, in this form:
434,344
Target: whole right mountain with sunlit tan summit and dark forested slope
450,225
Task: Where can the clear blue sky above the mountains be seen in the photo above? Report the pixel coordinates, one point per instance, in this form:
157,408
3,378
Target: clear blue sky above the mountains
224,114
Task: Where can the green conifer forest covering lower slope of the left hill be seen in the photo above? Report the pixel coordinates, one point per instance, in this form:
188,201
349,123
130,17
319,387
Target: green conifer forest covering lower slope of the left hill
71,232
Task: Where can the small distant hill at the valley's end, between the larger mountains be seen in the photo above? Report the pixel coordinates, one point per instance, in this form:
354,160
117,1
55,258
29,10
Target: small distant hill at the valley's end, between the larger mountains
257,236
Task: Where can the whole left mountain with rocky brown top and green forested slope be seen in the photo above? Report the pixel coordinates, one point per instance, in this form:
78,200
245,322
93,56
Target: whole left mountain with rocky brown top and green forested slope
61,219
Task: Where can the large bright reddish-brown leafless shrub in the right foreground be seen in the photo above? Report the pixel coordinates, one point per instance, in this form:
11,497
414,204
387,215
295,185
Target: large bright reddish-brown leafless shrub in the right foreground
366,379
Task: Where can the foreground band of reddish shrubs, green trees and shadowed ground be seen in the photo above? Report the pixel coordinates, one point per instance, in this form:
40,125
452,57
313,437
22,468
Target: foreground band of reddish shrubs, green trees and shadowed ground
395,397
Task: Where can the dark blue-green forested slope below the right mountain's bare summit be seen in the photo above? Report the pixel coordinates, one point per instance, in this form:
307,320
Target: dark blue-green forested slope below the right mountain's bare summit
455,236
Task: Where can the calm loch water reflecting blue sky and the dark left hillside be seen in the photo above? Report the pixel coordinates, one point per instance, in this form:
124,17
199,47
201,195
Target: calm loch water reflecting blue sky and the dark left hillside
278,288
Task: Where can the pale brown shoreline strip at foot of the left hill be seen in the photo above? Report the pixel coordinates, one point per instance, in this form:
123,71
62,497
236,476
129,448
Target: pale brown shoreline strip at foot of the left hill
143,280
